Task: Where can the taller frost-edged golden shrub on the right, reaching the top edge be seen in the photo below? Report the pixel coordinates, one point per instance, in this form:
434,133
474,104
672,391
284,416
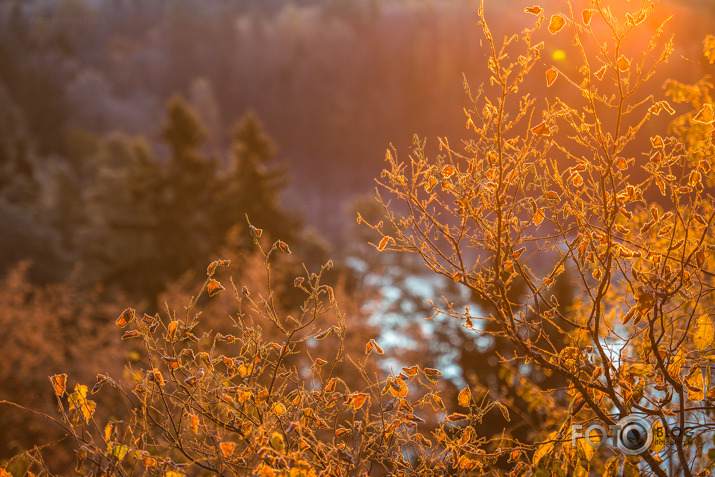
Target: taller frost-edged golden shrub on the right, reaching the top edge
547,187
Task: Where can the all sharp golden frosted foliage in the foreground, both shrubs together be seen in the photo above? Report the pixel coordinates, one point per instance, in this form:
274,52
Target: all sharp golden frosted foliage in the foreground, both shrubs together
576,185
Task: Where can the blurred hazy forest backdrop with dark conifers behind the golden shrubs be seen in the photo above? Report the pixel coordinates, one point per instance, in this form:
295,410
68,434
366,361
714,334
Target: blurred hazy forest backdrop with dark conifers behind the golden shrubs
135,136
